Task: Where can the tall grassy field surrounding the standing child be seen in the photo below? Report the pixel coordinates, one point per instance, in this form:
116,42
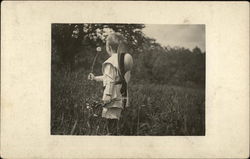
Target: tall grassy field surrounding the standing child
154,109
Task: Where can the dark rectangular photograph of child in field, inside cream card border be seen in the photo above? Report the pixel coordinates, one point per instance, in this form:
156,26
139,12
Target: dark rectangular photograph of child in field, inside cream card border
128,79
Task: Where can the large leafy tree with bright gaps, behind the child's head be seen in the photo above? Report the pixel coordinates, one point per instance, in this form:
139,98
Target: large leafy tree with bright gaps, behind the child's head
70,39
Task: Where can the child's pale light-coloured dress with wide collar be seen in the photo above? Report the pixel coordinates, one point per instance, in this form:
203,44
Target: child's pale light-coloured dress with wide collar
110,75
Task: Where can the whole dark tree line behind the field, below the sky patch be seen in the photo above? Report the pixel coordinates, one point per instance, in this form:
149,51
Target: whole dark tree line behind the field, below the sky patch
74,47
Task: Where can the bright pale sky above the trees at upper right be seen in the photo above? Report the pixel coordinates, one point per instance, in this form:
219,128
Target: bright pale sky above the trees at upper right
188,36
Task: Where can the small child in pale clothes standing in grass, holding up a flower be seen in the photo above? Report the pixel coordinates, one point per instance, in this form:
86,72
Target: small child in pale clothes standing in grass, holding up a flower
116,75
